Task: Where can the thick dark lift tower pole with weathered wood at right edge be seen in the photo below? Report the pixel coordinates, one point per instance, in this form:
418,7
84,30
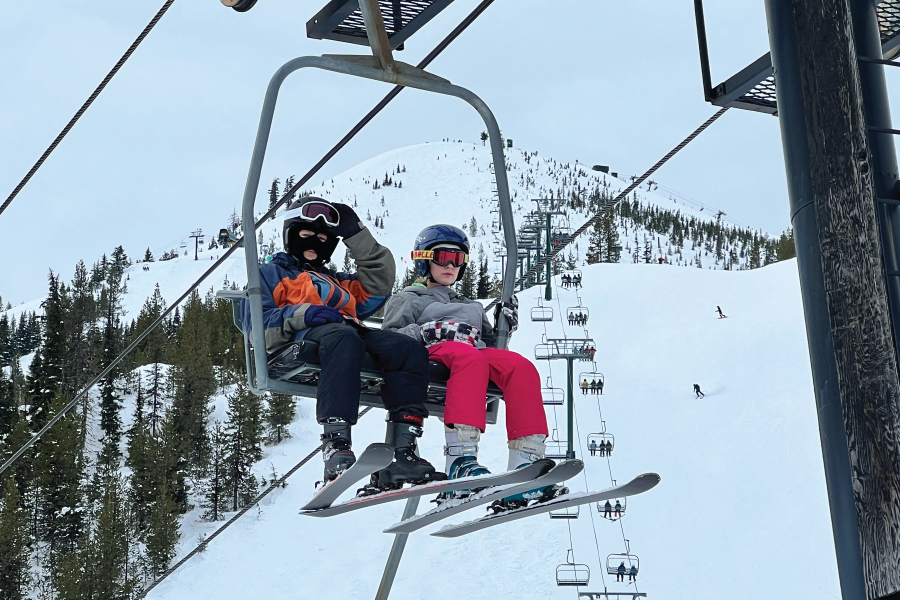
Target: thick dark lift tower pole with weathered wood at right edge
833,172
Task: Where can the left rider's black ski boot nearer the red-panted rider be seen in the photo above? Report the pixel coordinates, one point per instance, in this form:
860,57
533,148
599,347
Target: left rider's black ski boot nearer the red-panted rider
407,467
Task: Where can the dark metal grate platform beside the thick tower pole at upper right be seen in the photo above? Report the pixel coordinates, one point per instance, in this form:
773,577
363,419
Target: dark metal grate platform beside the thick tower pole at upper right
754,87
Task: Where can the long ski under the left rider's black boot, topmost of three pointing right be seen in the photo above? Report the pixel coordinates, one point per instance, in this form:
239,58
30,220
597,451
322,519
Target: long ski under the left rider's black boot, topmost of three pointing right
536,469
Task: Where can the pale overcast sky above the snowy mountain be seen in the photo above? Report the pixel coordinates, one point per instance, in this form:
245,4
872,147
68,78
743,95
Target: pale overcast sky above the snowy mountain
165,149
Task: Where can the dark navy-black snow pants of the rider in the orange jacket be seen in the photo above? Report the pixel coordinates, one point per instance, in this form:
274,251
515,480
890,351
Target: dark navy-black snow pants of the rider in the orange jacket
342,347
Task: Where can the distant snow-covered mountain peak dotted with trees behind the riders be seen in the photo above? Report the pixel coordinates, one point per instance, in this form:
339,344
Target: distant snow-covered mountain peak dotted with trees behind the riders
447,182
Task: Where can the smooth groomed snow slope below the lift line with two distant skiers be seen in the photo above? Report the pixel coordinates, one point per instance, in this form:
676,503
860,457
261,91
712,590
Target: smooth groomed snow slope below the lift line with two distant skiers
741,511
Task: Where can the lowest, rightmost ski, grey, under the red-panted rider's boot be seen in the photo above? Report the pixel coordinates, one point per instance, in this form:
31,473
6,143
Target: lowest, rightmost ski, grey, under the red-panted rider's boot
638,485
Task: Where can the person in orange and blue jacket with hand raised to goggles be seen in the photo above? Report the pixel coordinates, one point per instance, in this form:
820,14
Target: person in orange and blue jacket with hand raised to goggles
302,299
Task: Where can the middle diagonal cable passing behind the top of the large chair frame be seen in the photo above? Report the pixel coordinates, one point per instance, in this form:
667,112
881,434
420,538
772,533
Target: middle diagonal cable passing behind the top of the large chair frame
271,212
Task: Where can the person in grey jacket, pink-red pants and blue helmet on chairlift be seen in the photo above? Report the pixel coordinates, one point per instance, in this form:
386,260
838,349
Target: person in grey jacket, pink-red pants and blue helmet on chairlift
459,335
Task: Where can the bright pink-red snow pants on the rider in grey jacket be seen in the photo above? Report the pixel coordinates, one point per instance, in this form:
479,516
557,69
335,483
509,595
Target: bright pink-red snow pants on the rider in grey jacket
470,370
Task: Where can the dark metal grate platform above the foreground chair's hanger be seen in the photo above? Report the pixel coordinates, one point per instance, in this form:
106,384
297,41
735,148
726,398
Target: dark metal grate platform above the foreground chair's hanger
341,20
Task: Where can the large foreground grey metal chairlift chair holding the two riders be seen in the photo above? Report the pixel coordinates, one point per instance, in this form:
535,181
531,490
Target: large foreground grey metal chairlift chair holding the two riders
295,369
